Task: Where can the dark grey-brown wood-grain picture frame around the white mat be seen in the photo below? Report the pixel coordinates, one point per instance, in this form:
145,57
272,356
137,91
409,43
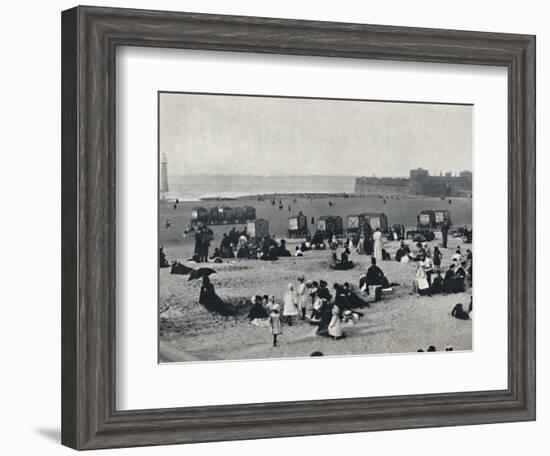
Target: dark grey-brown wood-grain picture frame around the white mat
90,36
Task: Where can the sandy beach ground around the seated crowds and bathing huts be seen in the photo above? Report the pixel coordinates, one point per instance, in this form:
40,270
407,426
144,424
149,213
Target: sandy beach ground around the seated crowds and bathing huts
402,322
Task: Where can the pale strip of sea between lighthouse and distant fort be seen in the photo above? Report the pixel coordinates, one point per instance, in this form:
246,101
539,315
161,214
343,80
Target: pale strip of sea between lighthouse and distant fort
194,188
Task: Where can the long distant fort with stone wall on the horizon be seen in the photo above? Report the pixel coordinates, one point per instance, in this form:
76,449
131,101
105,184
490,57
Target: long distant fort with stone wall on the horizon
419,182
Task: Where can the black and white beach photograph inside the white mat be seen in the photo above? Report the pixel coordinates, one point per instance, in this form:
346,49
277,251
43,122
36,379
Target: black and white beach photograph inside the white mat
302,227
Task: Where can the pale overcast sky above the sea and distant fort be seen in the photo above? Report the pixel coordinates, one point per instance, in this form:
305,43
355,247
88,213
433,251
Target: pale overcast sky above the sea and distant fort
265,136
